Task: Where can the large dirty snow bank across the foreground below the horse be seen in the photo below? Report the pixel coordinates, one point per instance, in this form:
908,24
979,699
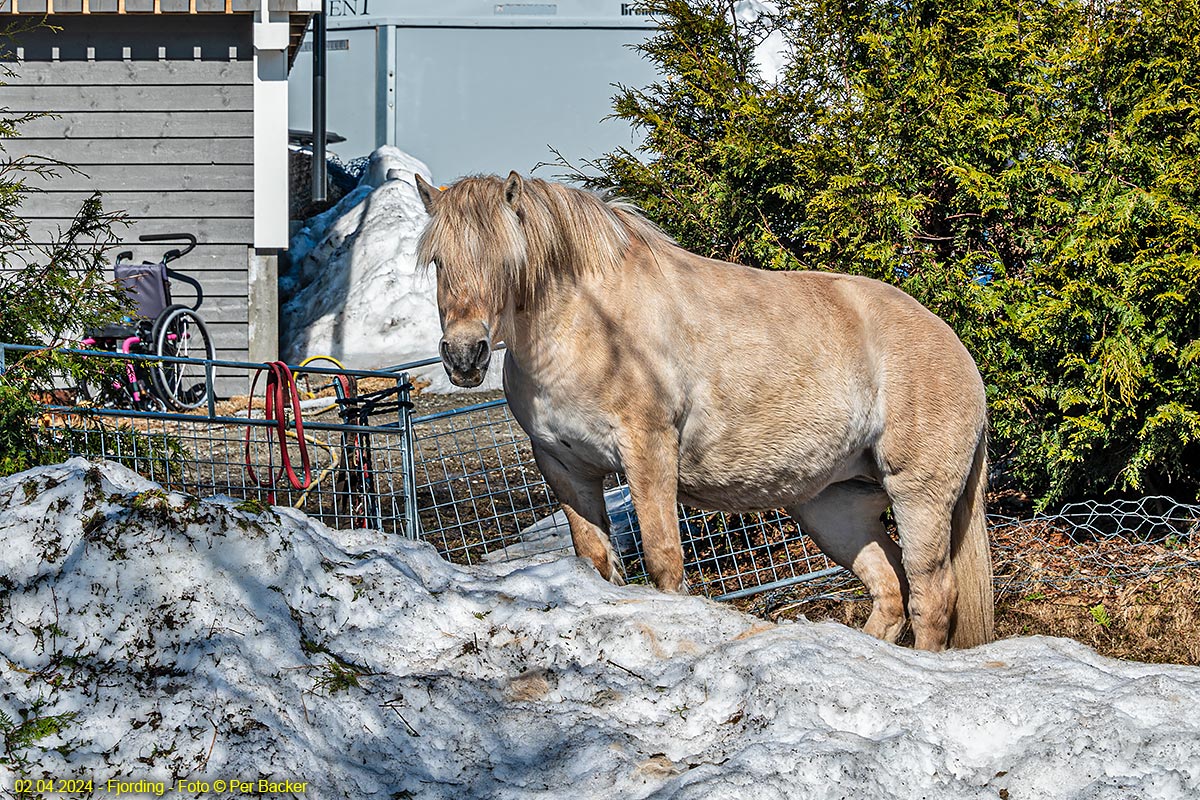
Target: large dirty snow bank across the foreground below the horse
209,641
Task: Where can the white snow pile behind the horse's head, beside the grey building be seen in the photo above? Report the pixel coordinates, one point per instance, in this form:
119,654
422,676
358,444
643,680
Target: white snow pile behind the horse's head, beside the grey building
353,291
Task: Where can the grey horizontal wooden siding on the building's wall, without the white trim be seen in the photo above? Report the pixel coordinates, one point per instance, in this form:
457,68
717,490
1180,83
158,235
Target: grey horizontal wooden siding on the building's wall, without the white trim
166,136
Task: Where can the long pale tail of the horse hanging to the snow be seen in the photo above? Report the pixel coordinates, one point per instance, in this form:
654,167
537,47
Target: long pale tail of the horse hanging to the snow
974,618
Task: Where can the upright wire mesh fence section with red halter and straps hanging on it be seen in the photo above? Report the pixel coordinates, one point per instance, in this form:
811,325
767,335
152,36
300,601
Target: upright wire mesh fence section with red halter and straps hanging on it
357,466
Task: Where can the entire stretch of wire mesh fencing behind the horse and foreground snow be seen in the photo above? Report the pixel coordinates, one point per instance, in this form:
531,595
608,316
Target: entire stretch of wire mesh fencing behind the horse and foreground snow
464,479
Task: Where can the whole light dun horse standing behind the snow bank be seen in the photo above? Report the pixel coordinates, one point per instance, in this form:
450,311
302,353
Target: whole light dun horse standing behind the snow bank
725,388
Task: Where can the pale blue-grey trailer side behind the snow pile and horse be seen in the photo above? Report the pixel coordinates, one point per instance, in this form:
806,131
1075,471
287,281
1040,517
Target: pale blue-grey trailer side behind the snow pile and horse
472,86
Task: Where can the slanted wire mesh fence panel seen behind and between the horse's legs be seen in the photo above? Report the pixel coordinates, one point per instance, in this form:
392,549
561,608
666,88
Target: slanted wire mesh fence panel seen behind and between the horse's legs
481,498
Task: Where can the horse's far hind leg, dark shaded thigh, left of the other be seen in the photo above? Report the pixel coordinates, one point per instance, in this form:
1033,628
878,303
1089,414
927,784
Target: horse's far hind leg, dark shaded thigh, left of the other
845,522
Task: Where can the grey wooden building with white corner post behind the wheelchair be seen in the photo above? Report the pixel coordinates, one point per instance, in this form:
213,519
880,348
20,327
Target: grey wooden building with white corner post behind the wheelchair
177,111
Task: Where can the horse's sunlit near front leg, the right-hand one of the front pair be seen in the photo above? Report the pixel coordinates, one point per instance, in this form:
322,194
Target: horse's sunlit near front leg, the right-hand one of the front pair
652,468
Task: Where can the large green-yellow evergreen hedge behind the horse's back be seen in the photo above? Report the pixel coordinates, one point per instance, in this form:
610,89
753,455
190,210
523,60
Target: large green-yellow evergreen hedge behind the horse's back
1025,170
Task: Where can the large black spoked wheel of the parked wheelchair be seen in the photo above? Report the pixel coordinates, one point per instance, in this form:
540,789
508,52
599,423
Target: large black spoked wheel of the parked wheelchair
179,333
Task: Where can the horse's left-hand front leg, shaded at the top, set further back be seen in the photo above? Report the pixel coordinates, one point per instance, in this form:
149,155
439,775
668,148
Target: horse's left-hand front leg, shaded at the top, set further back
583,498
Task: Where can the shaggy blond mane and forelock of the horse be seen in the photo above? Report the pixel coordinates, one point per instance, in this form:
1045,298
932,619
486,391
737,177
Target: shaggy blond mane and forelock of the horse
485,244
